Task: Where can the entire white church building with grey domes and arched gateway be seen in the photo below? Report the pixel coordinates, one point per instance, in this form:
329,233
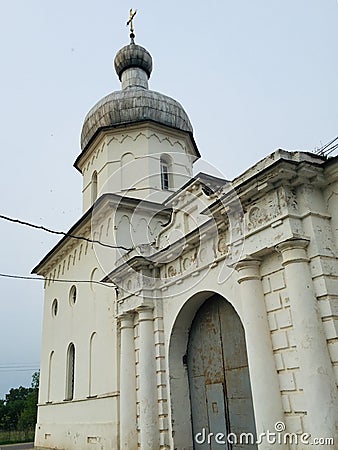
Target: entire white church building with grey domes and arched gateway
189,312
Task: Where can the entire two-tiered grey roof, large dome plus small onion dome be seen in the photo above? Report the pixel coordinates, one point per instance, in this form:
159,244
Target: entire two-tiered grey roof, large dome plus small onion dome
135,102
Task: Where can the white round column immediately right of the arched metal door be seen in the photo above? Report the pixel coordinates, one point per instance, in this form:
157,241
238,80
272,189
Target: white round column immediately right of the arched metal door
263,374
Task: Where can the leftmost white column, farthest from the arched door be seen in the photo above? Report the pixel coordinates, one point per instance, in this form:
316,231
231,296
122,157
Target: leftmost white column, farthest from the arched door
128,426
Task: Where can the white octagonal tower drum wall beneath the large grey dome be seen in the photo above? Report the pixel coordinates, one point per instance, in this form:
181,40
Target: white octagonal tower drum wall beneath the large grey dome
139,172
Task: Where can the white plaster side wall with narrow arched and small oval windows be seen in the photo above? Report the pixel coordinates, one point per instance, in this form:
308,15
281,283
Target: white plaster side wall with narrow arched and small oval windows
93,312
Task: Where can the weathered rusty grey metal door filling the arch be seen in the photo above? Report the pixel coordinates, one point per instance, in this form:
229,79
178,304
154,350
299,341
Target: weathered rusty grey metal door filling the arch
219,382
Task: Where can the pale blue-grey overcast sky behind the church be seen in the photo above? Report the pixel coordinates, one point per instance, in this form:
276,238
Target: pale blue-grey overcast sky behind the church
252,75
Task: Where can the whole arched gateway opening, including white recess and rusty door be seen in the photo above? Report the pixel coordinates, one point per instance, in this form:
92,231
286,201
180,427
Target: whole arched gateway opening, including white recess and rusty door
207,312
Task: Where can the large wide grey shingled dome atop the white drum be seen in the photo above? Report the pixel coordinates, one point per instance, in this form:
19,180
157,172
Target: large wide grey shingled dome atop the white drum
131,106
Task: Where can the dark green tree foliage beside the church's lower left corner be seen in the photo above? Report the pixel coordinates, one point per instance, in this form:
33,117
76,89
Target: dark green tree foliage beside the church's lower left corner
19,409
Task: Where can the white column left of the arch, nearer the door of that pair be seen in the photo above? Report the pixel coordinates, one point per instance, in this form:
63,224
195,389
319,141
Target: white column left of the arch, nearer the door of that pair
149,433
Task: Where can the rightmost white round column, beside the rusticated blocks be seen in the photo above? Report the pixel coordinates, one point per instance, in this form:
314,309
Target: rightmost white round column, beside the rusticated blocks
316,369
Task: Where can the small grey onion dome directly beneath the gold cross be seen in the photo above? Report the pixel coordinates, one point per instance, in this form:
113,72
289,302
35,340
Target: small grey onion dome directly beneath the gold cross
133,55
